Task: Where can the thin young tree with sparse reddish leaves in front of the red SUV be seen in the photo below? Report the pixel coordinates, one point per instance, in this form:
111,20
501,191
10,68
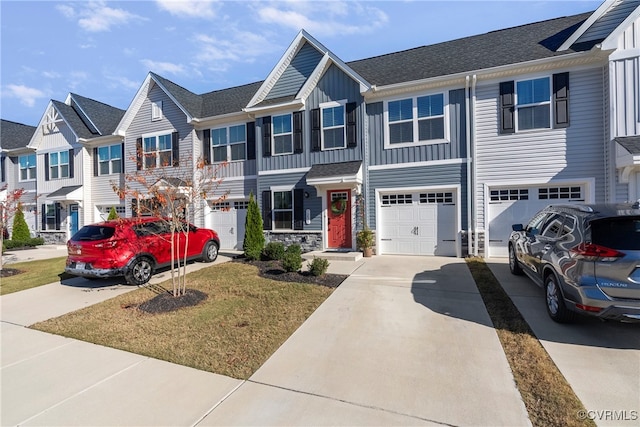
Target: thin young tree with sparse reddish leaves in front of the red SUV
176,195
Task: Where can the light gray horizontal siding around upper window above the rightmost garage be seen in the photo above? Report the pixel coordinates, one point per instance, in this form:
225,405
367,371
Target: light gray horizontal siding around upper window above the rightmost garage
572,153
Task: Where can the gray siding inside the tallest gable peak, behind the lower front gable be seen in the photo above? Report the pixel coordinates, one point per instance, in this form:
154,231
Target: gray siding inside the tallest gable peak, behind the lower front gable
296,73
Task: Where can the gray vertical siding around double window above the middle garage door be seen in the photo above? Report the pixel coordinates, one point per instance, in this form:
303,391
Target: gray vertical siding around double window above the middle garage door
455,148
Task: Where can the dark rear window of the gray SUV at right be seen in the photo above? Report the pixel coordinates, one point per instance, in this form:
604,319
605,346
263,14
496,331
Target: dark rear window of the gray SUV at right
617,233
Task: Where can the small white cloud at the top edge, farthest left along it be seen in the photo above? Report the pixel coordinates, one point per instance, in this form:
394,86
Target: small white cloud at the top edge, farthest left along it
96,16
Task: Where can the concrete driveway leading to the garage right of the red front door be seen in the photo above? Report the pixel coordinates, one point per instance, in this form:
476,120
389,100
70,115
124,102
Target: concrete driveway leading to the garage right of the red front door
403,341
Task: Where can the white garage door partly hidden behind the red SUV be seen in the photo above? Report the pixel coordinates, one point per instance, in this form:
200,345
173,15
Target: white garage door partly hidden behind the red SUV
228,219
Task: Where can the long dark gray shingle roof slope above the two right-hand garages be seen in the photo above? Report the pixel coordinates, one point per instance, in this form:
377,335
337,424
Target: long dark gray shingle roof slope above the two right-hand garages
497,48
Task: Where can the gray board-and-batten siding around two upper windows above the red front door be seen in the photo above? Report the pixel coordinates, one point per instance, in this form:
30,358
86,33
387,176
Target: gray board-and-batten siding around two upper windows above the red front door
333,86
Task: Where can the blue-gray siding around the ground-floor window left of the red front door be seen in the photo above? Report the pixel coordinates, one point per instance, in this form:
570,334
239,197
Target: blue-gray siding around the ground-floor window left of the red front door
296,180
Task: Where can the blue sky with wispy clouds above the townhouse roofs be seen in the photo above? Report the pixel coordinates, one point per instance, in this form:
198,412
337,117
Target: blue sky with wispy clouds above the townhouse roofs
104,49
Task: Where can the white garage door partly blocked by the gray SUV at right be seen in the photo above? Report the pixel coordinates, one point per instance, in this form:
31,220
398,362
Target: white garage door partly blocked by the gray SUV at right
508,206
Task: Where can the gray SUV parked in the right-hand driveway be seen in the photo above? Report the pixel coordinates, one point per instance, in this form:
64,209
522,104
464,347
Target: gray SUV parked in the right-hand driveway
586,257
